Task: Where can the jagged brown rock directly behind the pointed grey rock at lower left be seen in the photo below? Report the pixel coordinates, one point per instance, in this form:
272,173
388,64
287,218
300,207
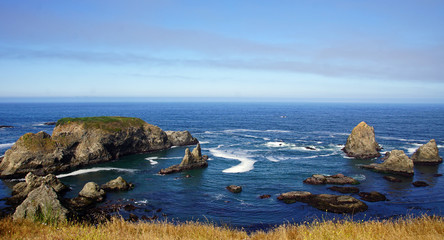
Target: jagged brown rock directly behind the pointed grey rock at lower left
32,181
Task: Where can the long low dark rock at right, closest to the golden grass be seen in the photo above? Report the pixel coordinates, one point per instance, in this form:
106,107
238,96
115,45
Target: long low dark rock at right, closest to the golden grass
326,202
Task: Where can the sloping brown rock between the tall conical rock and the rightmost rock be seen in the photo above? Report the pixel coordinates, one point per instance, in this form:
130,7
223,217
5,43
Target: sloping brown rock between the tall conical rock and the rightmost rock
396,162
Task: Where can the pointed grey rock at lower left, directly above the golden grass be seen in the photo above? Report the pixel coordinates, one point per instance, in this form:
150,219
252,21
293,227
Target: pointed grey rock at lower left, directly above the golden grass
42,204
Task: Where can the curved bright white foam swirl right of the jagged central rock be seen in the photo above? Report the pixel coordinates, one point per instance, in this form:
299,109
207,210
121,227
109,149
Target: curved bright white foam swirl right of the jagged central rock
246,163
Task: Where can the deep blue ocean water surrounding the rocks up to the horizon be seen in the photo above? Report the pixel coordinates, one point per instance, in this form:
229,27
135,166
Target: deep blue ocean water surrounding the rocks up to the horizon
260,146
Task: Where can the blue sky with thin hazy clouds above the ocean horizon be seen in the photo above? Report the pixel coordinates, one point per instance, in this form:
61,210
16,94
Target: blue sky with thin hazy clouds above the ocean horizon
345,50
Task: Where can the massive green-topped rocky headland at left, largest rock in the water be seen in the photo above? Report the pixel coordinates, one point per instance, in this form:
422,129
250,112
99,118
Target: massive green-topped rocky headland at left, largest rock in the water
77,142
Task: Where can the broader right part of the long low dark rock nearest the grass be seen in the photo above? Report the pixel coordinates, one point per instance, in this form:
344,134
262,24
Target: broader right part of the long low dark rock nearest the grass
337,203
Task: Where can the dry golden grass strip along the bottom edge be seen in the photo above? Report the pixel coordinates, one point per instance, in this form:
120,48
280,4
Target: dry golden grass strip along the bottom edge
404,229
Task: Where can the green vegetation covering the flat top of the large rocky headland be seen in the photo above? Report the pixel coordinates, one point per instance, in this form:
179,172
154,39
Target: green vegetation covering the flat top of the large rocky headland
112,124
